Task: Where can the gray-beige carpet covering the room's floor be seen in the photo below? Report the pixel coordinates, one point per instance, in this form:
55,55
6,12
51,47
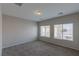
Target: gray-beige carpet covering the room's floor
38,48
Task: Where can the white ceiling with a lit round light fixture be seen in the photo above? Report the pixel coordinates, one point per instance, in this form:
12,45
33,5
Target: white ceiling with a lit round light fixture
49,10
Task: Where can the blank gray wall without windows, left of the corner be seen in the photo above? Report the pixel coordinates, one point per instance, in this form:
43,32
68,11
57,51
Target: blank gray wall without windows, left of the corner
17,31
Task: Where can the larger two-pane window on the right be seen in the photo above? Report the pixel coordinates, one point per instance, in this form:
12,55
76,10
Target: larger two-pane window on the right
63,31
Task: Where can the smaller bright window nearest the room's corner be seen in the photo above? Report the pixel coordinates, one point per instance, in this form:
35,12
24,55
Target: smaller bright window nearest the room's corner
45,31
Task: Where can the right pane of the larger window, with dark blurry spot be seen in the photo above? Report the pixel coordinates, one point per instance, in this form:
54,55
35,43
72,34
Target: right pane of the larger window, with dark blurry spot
68,31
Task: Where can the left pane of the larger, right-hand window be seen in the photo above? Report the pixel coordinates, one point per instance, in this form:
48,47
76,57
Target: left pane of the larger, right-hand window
58,31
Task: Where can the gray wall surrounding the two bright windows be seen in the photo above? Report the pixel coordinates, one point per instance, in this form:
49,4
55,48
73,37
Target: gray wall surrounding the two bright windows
74,18
